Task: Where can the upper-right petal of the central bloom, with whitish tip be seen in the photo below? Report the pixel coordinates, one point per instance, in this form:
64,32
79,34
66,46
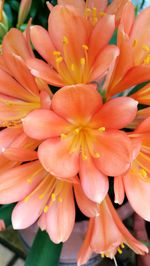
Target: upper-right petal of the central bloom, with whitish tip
115,118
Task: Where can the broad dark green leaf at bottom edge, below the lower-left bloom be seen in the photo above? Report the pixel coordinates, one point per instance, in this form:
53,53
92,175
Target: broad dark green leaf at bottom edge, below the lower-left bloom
43,252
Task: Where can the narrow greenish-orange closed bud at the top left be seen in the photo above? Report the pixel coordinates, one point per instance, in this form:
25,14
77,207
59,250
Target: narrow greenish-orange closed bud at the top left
24,9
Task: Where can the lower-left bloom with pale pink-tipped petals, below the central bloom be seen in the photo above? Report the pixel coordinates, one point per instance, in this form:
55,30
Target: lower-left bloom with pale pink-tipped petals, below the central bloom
45,198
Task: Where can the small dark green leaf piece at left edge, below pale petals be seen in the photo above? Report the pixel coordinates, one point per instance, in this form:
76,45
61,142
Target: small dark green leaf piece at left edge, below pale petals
5,213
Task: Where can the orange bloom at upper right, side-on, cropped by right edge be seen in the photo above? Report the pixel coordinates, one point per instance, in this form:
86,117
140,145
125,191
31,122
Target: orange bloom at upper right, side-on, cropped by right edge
133,64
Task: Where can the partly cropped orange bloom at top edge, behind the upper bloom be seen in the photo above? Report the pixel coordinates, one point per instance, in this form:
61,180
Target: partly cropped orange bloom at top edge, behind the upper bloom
93,10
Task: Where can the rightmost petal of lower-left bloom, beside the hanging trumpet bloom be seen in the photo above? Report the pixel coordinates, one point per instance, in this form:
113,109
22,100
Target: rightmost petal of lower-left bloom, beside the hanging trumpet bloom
88,207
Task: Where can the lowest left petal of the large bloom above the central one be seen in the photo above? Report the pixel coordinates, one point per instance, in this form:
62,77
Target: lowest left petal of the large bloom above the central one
41,70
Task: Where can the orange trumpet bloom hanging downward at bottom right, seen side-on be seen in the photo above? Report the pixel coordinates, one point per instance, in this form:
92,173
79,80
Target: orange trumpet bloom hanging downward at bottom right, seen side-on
107,235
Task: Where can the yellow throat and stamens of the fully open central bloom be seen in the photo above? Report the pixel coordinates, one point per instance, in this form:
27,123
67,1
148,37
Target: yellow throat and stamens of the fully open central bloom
82,140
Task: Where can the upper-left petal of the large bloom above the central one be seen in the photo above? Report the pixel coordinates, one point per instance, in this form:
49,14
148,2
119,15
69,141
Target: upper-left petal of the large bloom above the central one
43,45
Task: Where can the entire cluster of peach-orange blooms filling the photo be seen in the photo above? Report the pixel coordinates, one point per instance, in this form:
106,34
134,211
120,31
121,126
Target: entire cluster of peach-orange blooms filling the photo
62,147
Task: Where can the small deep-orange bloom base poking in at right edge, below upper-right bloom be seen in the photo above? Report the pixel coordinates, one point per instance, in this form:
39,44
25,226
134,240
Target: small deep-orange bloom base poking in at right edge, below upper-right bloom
142,95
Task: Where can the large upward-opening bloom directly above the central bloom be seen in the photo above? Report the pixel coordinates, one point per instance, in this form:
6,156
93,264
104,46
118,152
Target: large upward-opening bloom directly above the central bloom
74,56
